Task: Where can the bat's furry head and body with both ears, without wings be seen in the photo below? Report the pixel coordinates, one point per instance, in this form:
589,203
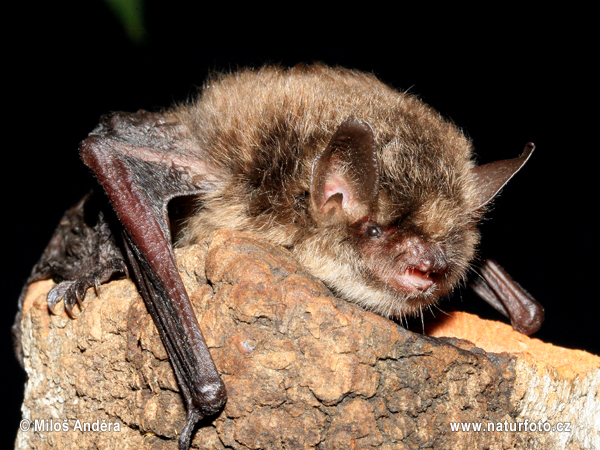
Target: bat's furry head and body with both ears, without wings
374,192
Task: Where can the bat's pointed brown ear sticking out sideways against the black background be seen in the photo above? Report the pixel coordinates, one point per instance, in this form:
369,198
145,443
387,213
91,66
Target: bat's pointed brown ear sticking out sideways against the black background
490,178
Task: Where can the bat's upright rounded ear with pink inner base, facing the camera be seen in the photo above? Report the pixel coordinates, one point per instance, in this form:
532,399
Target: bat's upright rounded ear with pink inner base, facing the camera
345,176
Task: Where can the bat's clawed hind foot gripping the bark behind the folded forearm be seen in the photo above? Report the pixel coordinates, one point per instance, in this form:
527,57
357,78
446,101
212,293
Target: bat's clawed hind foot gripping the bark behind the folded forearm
73,291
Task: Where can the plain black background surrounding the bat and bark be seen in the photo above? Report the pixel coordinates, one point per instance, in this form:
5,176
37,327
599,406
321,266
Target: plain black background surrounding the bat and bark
506,76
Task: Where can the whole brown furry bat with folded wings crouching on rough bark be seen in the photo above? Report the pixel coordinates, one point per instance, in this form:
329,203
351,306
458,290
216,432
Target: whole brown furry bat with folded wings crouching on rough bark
372,190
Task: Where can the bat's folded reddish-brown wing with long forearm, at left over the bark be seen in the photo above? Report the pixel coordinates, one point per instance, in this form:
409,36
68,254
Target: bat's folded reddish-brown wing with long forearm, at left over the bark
142,161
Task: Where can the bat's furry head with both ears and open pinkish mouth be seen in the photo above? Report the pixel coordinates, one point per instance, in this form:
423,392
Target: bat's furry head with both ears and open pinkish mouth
397,217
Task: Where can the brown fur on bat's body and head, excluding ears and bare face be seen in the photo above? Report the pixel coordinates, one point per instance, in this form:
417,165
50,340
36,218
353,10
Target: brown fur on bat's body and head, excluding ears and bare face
259,132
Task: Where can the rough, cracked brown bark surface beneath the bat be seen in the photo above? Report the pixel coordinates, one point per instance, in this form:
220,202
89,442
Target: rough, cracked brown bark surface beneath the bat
303,370
